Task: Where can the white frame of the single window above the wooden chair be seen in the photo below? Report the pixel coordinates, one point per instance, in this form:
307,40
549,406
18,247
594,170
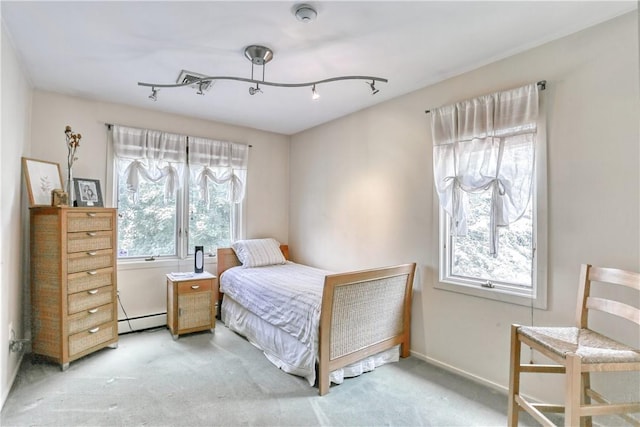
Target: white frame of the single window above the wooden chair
536,296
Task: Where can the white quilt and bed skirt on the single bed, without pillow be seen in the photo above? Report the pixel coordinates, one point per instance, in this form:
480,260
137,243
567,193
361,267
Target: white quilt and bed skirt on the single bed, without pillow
278,309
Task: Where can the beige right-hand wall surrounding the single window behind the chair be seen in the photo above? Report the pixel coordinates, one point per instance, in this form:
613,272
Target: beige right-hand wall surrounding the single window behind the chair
362,195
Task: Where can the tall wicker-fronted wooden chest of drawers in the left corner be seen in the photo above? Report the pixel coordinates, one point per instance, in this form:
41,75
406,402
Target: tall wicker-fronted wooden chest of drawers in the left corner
73,282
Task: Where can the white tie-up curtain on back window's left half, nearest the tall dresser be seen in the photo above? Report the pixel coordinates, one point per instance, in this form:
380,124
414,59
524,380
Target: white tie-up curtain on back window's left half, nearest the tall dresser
151,155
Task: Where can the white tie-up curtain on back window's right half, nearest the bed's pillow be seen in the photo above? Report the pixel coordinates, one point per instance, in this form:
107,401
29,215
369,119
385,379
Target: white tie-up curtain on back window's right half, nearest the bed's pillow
219,162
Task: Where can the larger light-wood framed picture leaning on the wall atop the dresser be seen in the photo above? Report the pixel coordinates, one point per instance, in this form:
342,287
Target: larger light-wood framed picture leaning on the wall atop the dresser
42,177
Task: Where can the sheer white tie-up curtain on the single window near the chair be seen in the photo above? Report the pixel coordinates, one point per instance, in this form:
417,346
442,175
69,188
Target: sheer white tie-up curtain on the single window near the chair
486,143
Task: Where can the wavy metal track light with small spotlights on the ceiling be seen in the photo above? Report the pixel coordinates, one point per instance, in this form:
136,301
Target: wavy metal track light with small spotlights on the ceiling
259,56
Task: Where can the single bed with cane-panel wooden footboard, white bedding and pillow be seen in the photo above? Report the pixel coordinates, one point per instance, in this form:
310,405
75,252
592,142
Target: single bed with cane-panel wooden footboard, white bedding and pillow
340,324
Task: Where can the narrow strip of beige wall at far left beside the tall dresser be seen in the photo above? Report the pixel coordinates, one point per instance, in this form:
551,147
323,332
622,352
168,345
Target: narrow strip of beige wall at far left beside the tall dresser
15,114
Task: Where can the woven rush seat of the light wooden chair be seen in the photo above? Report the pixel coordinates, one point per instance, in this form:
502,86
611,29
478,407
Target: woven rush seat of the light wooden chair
591,346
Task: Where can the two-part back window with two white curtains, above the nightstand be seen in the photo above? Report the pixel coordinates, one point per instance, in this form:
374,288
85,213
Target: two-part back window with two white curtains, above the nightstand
175,192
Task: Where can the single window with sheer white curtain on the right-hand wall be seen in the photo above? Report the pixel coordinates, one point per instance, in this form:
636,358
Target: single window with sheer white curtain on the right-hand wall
490,177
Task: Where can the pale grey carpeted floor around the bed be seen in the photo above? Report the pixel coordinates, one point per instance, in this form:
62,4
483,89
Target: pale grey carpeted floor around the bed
220,379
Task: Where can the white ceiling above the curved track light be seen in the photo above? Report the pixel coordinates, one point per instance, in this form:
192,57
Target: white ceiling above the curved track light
101,50
